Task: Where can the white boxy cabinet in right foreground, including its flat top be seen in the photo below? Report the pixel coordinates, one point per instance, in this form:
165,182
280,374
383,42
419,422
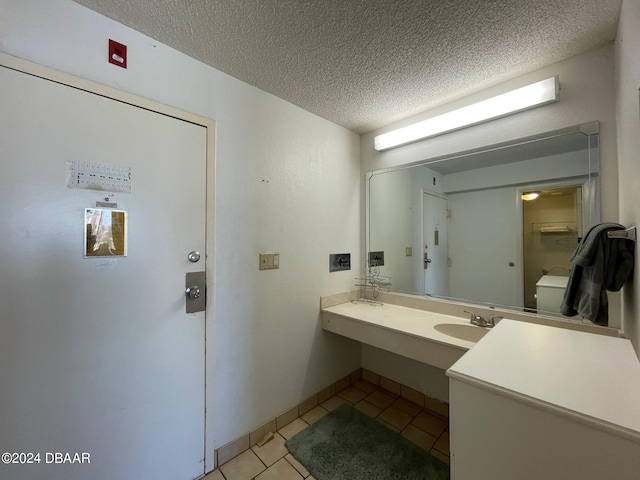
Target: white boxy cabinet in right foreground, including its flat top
532,402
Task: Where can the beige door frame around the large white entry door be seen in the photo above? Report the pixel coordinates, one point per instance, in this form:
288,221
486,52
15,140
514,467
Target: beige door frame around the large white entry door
69,80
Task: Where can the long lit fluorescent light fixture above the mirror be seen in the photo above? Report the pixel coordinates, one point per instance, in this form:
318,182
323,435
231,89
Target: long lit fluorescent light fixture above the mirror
534,95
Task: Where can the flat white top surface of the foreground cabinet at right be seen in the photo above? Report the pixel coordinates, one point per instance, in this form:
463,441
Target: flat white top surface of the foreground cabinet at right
592,378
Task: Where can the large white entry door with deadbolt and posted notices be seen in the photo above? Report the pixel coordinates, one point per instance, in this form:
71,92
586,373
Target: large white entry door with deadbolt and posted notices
97,355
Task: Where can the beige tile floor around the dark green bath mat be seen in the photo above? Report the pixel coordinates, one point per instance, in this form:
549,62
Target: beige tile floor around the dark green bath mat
273,461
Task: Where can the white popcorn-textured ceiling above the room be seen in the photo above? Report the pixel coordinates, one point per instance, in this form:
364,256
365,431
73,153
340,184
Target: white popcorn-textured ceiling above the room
366,63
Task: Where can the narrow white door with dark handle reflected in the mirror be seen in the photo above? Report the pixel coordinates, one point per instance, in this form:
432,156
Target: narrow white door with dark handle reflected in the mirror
434,235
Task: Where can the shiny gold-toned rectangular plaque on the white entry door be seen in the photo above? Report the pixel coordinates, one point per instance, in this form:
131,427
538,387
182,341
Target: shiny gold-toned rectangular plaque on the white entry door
105,233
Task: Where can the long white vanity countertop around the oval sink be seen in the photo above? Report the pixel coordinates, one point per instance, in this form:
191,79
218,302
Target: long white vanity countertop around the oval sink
409,321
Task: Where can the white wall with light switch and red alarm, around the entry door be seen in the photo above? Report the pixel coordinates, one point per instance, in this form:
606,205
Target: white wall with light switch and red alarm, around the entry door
286,180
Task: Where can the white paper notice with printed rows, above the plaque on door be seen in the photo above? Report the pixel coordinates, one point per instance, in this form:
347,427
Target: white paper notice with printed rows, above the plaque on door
99,176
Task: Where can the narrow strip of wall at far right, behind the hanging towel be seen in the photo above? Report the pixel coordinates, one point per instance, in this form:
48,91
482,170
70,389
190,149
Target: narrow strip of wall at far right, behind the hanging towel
628,118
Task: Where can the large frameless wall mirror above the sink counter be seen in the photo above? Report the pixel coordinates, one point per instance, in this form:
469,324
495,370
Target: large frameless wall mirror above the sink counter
493,226
